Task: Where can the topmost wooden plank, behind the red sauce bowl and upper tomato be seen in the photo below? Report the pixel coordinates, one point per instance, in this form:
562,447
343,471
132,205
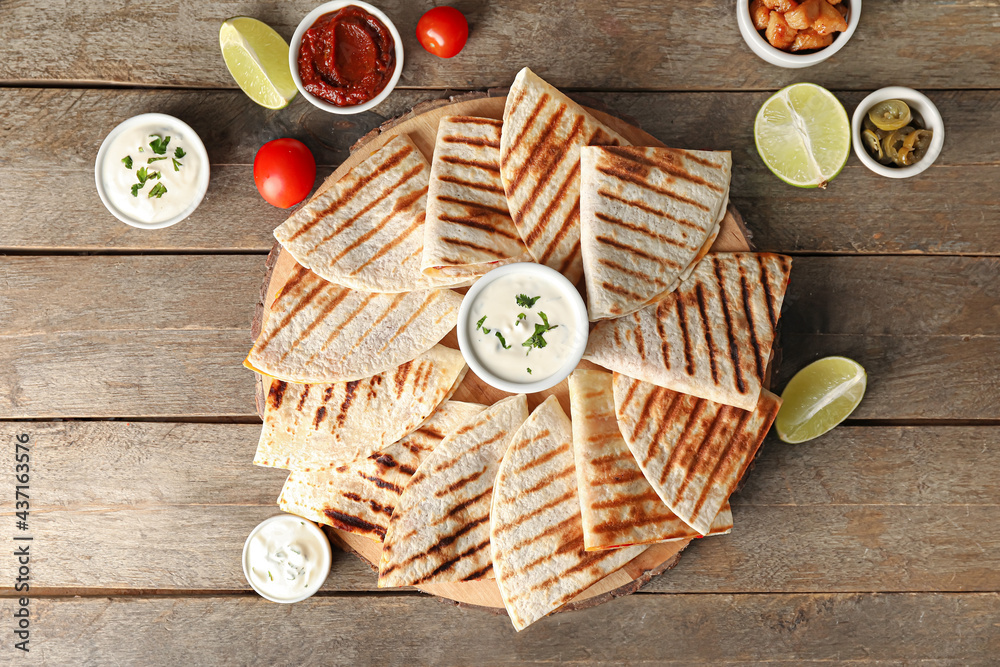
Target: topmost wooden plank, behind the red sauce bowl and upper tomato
692,46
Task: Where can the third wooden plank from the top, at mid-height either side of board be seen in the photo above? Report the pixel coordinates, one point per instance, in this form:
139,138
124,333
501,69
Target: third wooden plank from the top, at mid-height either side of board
166,335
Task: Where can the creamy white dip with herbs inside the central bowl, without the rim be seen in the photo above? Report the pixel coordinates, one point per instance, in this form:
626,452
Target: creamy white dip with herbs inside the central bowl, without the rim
507,336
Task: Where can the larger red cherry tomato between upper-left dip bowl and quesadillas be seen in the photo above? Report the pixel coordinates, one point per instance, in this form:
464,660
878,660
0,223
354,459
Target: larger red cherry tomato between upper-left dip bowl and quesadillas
284,171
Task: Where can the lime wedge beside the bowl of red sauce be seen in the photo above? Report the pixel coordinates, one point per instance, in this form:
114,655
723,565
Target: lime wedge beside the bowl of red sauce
257,57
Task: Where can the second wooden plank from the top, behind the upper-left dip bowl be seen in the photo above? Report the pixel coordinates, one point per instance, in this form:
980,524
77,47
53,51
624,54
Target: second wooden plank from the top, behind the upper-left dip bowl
953,208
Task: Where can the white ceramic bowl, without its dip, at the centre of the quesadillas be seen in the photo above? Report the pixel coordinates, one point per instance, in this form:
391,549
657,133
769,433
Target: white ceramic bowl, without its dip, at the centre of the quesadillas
541,272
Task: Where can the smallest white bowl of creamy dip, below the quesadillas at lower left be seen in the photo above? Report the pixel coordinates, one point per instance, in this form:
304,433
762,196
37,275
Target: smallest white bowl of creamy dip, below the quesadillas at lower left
286,558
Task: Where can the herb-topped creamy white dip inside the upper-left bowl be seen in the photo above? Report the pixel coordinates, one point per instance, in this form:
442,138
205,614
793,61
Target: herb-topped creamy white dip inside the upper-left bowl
177,173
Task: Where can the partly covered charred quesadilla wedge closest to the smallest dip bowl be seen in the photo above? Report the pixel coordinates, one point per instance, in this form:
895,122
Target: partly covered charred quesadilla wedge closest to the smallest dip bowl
359,497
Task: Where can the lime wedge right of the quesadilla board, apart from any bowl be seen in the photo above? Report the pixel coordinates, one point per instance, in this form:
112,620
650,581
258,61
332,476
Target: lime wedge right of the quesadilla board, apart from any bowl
819,397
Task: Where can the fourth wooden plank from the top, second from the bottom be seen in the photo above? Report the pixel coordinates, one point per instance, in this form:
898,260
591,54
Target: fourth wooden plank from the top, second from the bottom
861,509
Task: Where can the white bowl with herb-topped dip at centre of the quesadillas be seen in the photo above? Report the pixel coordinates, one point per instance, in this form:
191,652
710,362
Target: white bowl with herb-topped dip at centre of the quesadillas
503,361
